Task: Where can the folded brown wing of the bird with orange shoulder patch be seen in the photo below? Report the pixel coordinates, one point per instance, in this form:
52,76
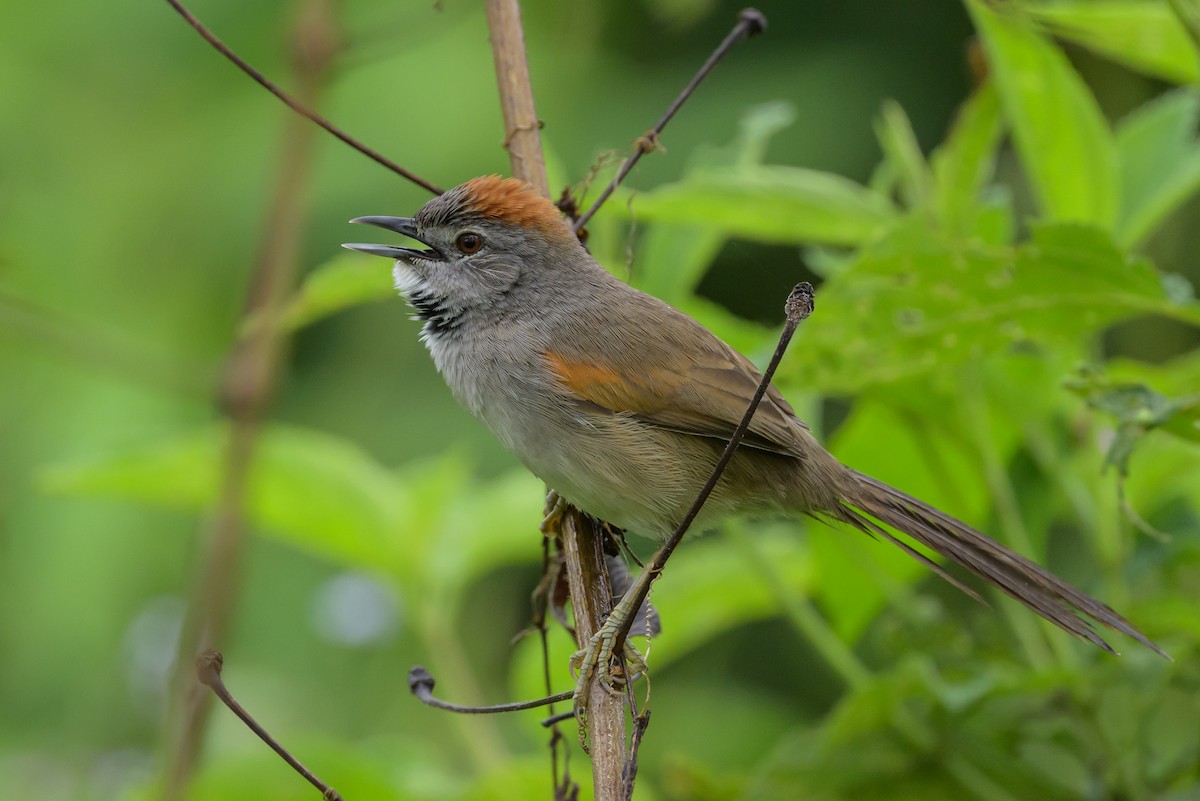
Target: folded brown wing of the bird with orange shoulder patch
706,395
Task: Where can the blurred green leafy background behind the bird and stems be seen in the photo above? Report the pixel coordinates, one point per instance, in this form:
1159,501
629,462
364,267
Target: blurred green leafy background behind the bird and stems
389,529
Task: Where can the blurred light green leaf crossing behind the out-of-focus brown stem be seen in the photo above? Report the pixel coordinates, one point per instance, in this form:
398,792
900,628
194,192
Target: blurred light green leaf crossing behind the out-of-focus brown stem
317,492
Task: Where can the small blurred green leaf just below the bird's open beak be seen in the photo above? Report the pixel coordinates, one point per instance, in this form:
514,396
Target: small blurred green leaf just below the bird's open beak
344,282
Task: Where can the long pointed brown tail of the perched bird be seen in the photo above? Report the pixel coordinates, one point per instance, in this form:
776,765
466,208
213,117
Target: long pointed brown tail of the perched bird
1025,581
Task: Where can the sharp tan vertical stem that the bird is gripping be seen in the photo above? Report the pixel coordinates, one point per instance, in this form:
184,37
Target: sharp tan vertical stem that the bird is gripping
584,557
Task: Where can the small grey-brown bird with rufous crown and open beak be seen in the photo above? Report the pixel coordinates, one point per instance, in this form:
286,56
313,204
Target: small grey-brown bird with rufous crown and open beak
623,405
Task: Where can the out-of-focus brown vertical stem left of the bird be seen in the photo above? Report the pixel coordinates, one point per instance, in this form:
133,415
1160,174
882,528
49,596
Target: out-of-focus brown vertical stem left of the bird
247,390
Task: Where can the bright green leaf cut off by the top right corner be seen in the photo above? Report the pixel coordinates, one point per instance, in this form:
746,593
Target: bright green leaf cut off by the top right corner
1144,37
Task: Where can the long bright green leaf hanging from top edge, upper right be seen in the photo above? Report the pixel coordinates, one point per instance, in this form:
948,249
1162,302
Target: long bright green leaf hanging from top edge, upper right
1061,135
